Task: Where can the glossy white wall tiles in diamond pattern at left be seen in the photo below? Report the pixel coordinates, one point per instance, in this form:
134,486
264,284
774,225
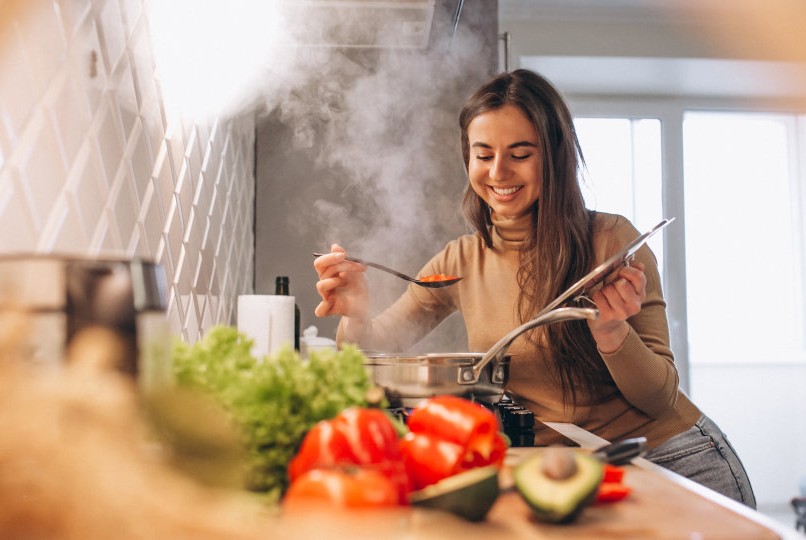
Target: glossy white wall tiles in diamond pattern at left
92,163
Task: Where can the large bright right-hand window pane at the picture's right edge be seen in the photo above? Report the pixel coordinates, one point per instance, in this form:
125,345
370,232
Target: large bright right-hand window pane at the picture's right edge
744,250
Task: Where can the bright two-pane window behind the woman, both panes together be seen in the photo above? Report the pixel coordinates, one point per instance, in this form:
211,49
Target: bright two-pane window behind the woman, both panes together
744,270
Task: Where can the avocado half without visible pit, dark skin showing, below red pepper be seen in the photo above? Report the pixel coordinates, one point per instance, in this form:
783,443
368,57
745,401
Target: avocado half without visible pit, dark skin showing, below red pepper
469,495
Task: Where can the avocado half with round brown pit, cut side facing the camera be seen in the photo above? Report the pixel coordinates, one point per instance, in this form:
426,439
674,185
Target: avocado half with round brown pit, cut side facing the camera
558,500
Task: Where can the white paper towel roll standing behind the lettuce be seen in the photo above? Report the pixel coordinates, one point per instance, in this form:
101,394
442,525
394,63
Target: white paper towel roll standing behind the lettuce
267,319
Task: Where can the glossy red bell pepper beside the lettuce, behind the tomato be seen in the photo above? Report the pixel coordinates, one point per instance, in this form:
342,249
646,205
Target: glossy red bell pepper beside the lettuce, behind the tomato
356,436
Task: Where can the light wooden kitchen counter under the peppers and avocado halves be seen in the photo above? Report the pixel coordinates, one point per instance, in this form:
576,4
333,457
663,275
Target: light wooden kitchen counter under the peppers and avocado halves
662,505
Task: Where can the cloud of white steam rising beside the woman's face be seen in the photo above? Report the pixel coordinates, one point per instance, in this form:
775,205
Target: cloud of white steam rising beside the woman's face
383,132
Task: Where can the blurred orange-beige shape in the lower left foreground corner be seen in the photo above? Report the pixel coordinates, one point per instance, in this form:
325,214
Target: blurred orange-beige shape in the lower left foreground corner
80,462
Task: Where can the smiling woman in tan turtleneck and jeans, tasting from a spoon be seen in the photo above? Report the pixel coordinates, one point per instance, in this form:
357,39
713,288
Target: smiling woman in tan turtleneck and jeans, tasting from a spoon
614,376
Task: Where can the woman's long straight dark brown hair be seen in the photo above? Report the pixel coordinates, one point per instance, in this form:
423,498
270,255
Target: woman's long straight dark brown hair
558,249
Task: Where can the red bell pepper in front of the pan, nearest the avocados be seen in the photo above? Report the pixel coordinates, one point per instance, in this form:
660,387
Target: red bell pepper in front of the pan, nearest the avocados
450,434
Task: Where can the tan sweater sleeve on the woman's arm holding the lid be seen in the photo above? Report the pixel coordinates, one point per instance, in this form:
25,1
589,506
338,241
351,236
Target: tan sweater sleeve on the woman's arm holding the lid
643,367
